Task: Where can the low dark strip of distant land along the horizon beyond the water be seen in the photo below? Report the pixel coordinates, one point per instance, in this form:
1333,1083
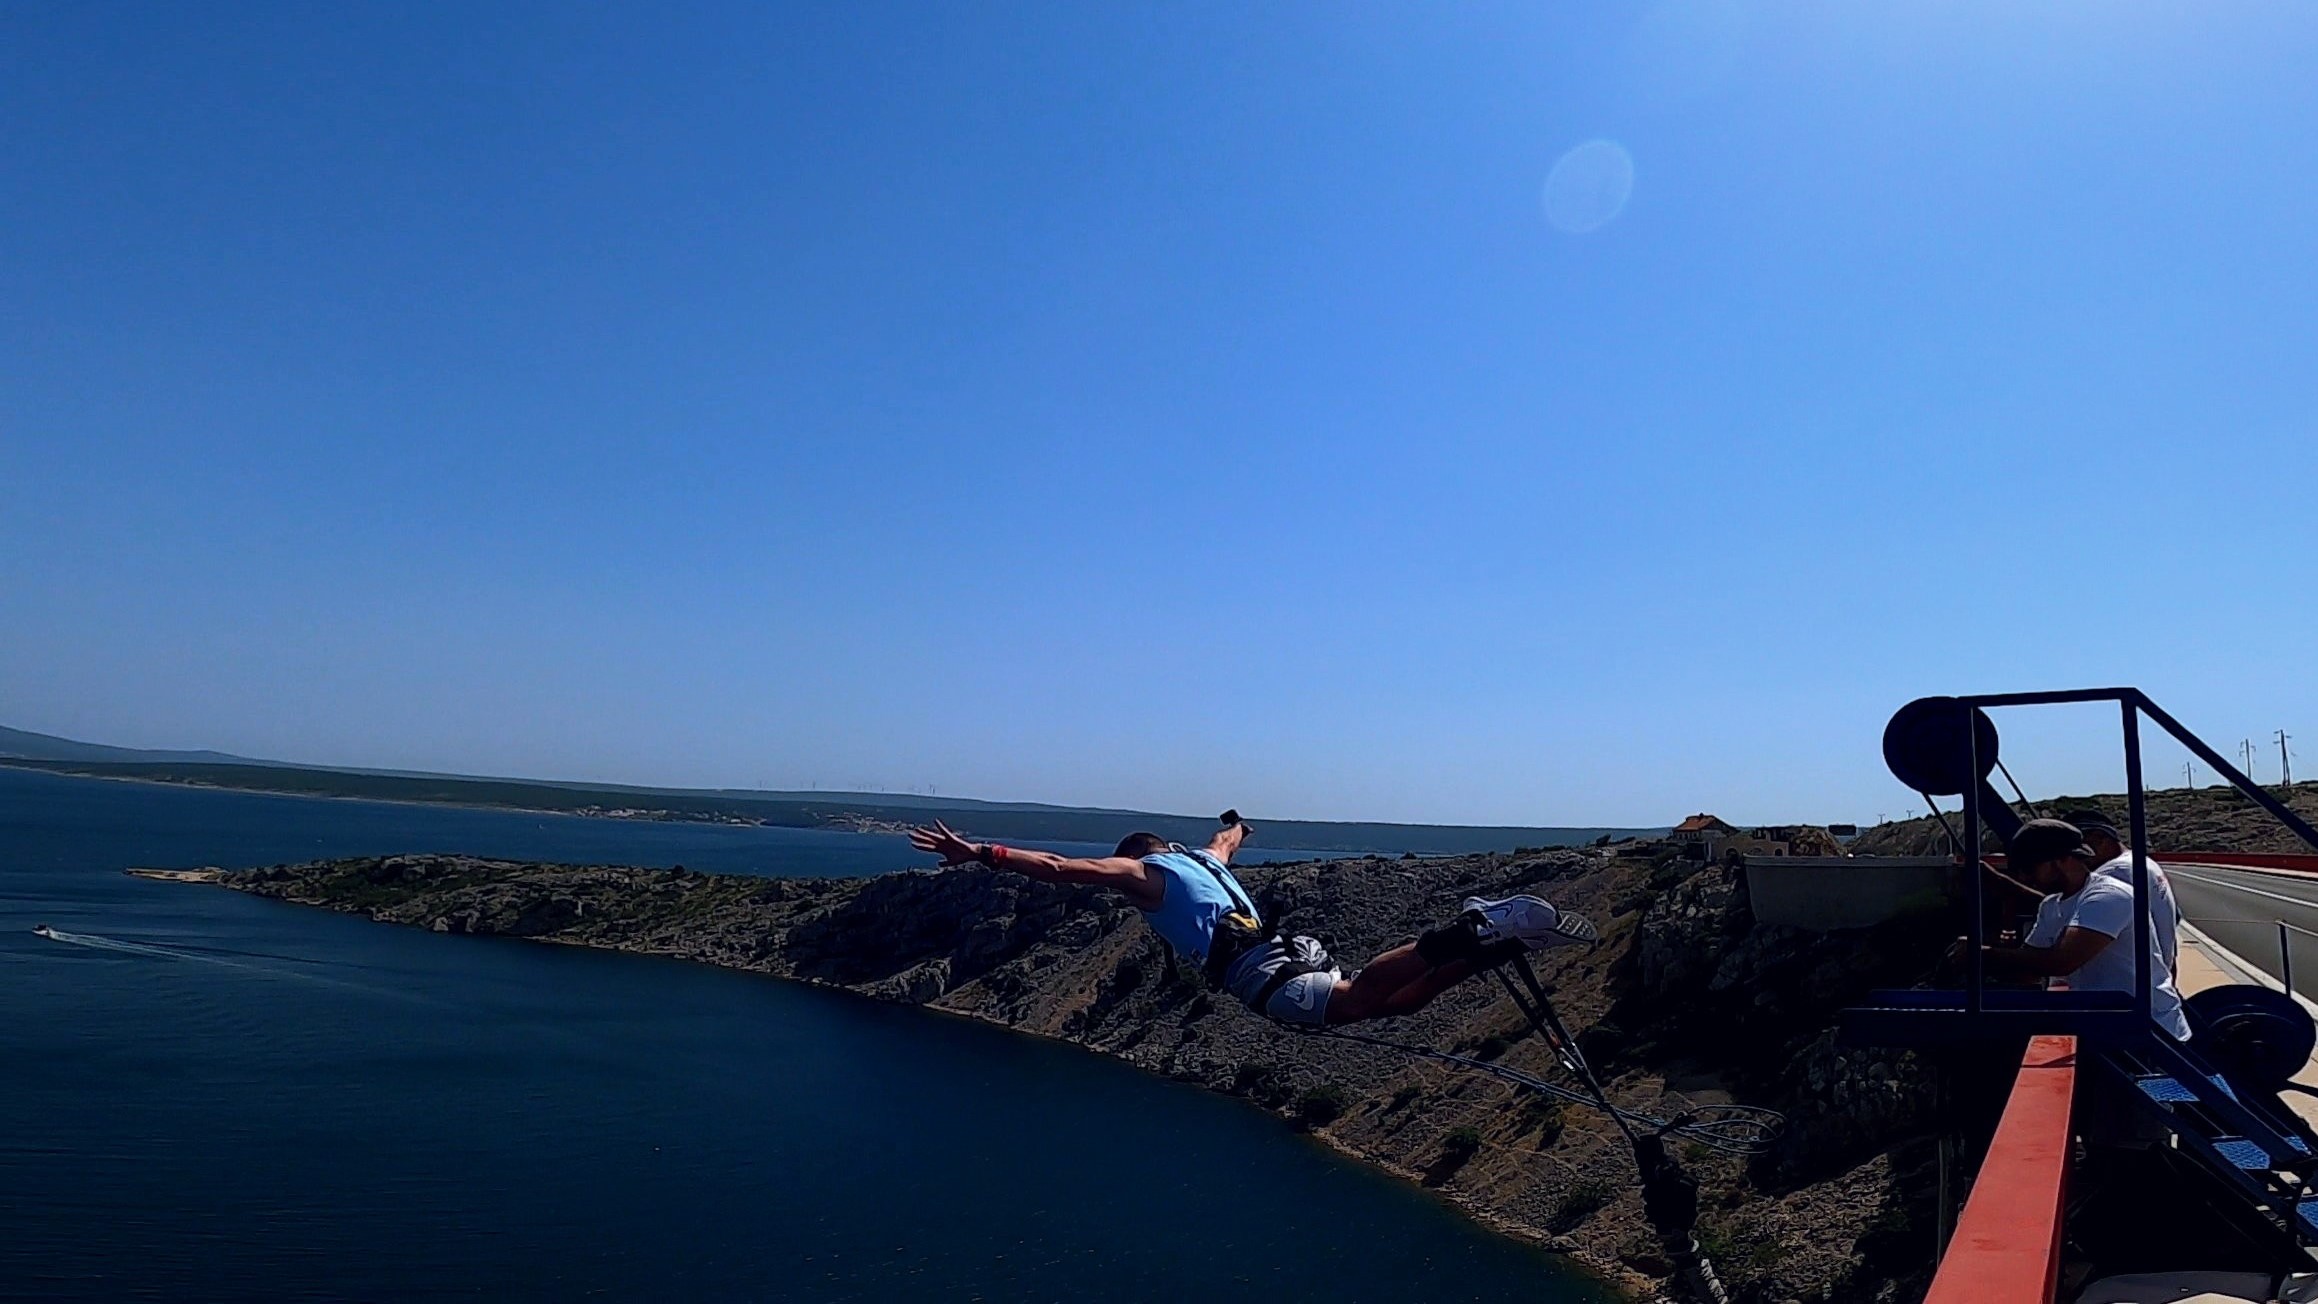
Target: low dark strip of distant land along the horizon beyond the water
859,812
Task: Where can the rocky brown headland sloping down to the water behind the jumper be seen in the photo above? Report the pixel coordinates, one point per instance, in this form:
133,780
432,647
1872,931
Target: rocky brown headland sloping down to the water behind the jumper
1689,999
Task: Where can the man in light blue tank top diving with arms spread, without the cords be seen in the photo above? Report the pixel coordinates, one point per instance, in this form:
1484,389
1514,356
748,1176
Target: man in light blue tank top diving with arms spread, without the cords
1200,909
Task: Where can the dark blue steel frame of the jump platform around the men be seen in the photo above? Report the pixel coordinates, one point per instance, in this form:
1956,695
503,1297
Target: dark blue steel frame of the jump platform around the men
1918,1018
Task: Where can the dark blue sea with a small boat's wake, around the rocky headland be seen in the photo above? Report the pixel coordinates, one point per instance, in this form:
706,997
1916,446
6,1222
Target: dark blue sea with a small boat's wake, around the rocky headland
210,1097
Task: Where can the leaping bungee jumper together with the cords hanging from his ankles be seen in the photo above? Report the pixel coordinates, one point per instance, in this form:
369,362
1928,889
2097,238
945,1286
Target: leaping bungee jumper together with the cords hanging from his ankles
1211,923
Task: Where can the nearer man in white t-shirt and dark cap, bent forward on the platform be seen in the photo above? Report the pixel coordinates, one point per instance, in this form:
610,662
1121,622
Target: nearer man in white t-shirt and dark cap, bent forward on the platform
2090,909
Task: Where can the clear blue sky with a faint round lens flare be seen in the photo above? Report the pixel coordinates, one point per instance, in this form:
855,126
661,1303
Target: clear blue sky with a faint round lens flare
1169,406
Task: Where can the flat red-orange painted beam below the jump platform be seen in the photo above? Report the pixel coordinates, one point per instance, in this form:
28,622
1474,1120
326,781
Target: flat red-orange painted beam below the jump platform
2009,1240
